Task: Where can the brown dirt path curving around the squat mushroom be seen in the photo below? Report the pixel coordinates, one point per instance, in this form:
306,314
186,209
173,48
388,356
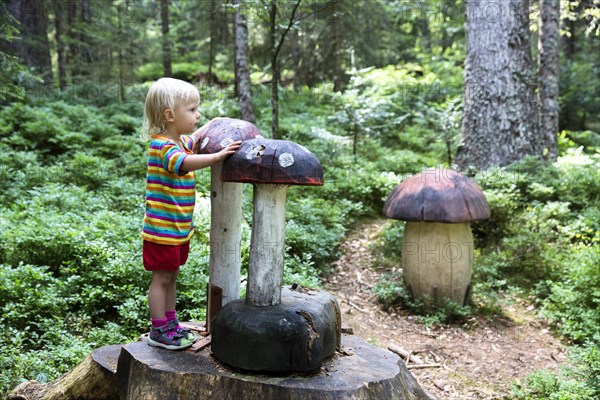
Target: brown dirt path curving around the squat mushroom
479,358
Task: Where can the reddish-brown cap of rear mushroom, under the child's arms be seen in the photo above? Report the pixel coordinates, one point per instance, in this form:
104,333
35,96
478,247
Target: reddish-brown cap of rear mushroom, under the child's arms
222,131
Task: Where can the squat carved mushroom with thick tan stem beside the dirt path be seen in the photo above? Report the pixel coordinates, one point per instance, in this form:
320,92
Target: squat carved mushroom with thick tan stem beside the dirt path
437,250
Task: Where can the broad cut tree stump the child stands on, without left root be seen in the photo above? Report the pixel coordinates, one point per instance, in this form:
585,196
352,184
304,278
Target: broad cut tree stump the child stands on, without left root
369,372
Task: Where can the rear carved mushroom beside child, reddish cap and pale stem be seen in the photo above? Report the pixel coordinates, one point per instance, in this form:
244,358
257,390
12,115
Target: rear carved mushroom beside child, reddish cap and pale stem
226,214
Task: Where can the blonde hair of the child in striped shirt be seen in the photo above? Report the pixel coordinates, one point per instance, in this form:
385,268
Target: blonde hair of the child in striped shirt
165,93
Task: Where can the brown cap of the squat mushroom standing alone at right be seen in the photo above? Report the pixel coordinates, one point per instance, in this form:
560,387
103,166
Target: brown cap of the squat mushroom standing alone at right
437,195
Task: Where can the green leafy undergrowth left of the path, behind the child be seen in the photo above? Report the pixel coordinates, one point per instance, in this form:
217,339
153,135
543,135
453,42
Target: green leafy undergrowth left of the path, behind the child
72,182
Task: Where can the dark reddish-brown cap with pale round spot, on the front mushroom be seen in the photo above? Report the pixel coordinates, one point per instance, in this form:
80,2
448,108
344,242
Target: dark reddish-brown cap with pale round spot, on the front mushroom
281,162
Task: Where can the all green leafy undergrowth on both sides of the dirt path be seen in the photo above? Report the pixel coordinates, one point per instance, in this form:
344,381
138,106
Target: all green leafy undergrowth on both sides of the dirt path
71,209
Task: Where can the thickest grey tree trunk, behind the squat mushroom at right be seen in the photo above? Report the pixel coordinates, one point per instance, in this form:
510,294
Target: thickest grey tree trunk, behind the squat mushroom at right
500,120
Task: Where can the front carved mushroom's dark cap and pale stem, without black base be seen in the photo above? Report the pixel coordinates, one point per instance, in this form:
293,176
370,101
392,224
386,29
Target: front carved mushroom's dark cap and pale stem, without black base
272,166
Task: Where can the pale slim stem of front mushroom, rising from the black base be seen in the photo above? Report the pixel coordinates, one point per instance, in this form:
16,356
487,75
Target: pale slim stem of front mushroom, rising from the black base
265,267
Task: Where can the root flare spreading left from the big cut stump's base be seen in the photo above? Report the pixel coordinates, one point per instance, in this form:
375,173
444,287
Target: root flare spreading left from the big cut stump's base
93,379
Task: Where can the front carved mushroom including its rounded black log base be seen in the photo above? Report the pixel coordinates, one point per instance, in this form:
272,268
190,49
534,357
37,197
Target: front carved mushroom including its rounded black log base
271,330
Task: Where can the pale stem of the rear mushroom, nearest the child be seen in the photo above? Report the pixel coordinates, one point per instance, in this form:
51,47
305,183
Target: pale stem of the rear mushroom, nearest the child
225,237
